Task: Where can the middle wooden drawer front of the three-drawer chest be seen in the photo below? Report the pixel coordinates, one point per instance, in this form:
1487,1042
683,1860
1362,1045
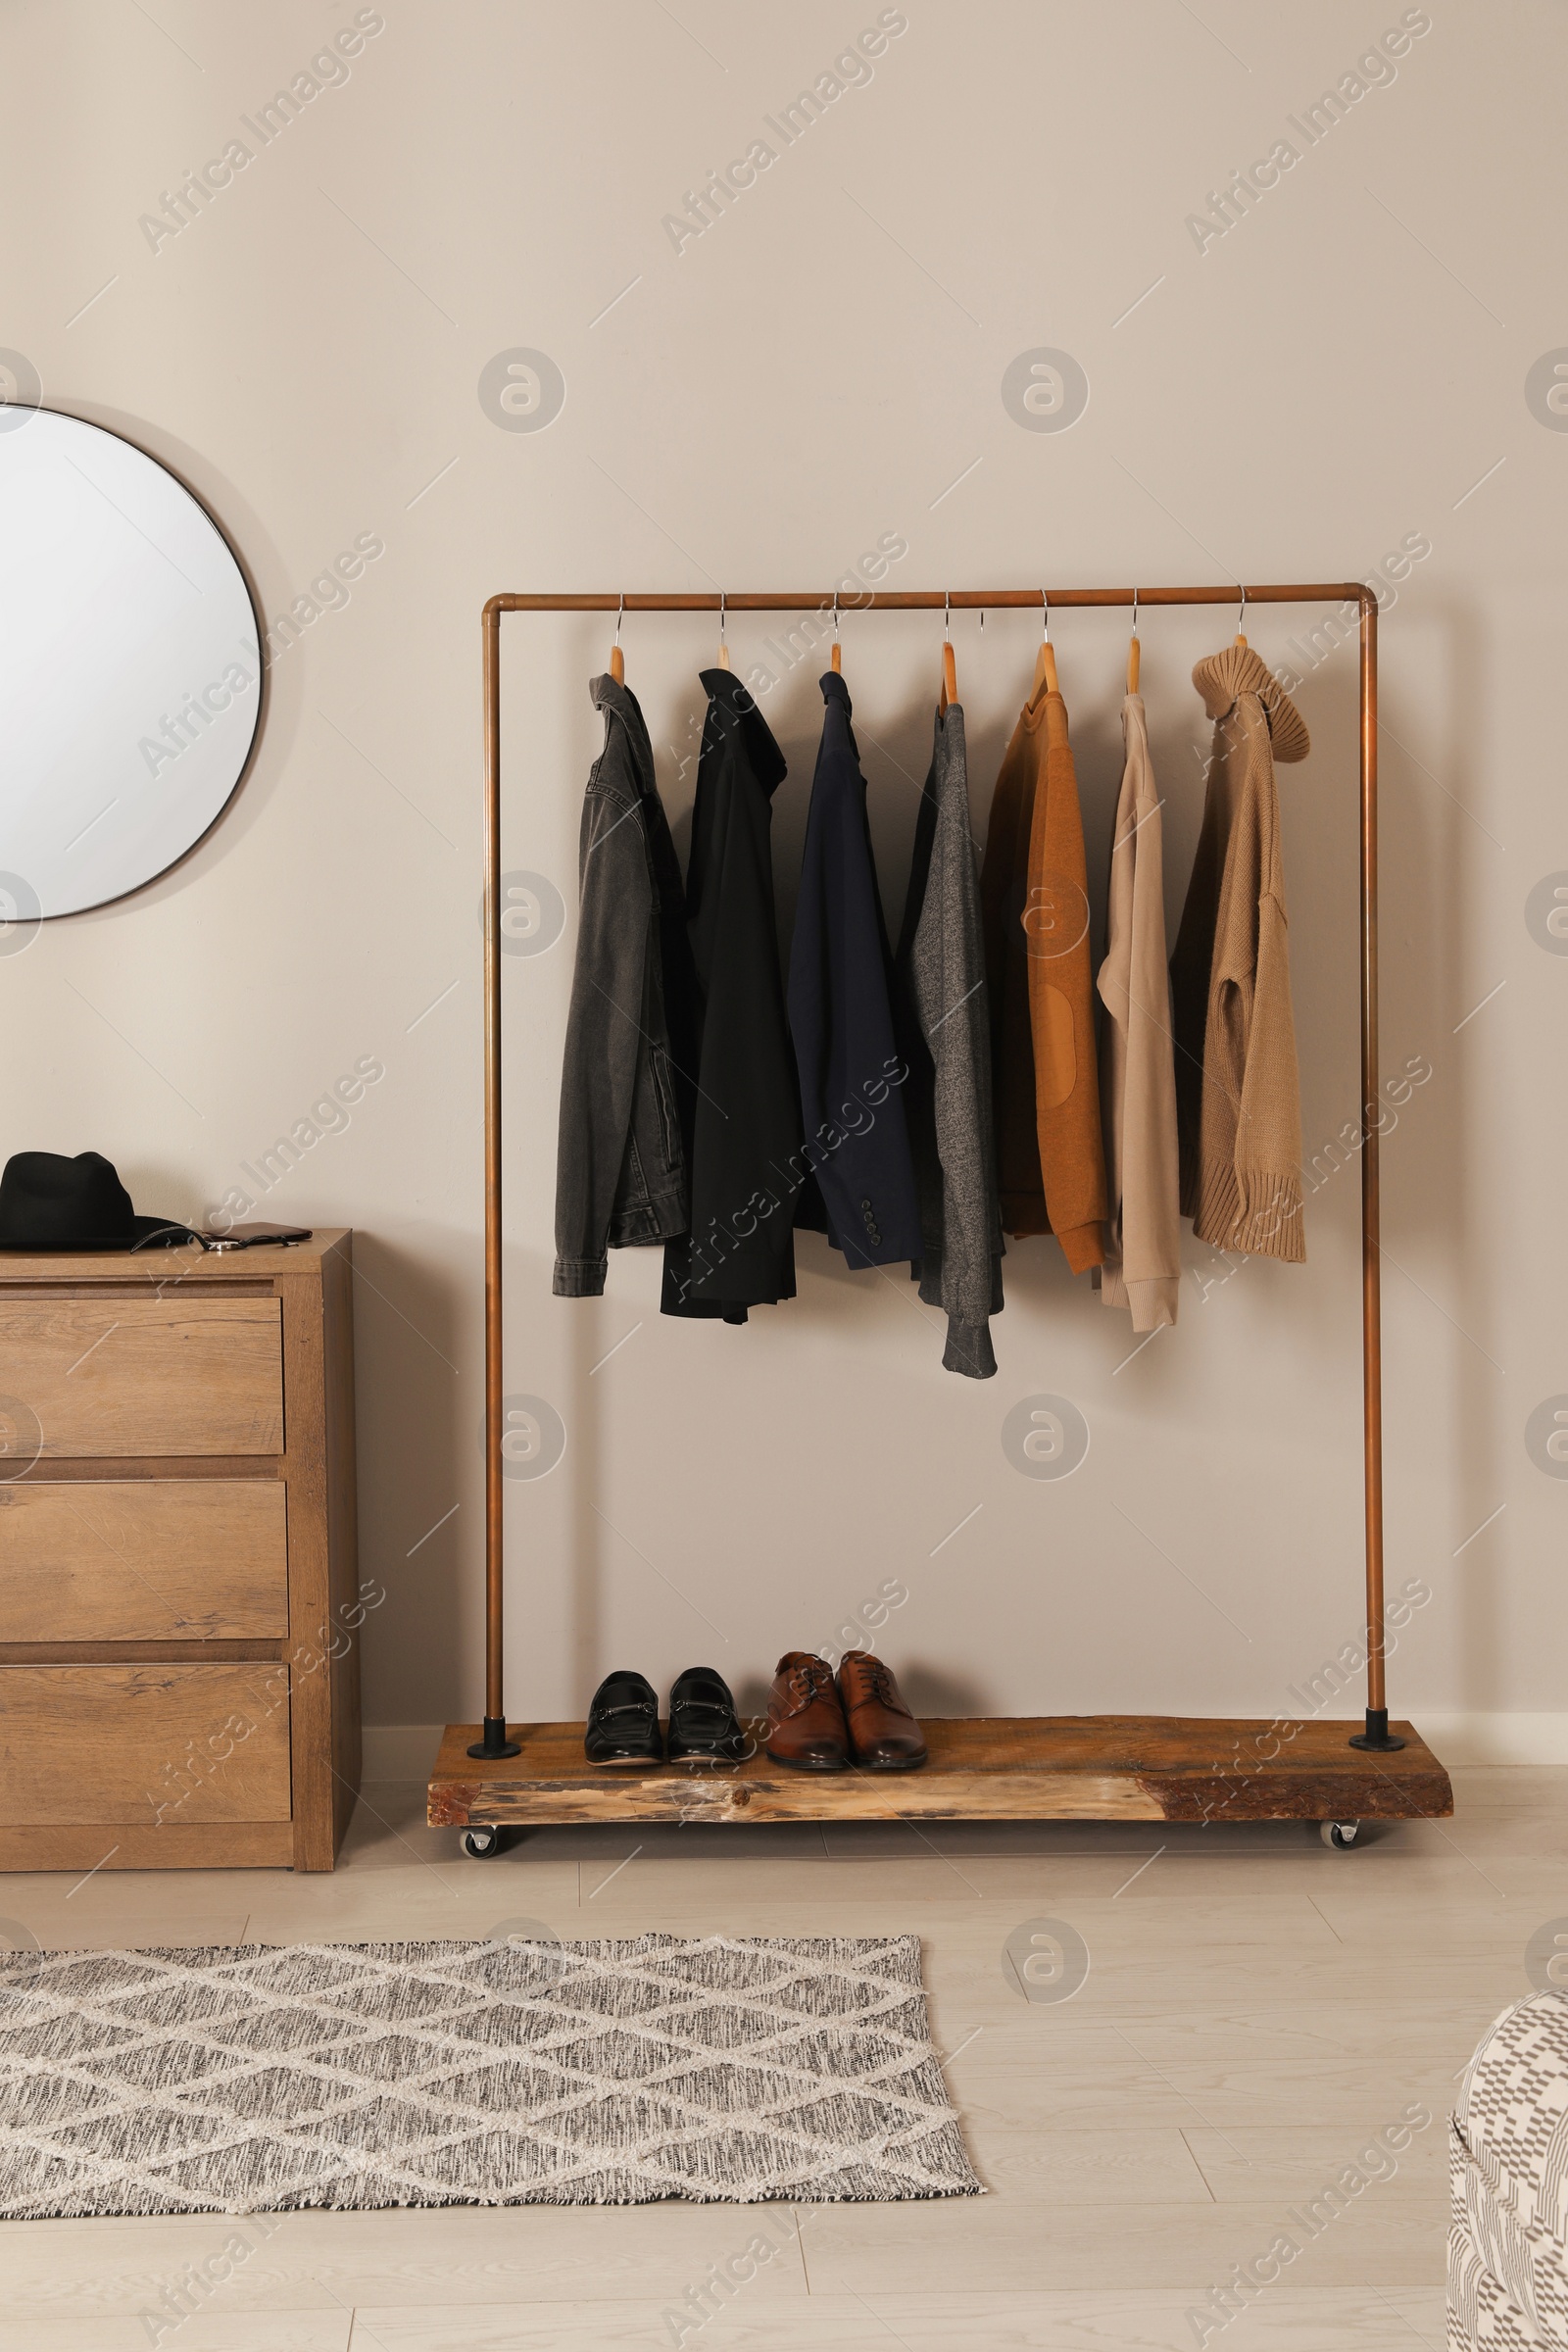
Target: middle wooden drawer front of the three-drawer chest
145,1561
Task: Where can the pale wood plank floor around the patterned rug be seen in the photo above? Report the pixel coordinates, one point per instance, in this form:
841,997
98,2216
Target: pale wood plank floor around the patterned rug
1257,2012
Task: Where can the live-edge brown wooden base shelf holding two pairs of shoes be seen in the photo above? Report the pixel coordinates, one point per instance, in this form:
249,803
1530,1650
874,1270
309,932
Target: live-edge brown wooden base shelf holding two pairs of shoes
1028,1768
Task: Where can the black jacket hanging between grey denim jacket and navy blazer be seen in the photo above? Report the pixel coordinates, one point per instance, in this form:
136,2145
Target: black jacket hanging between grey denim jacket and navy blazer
744,1156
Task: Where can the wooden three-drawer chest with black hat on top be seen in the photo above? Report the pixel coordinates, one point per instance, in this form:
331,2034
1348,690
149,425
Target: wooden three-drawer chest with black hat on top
180,1598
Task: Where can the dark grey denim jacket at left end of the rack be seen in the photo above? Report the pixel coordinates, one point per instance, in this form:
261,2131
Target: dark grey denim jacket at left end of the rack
622,1170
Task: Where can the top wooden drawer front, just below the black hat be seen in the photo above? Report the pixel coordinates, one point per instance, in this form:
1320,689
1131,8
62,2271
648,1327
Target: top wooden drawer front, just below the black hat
128,1377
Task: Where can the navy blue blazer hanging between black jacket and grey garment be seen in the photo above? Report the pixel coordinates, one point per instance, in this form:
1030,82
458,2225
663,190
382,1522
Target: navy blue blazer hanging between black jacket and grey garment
852,1074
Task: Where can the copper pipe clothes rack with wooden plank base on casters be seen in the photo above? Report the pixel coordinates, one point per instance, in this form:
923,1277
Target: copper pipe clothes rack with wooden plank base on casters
1139,1768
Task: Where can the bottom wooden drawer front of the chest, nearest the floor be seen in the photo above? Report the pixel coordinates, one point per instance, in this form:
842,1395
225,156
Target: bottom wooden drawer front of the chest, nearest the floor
145,1744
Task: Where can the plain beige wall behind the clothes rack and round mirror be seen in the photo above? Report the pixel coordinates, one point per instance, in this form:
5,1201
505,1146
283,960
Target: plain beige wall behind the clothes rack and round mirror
822,368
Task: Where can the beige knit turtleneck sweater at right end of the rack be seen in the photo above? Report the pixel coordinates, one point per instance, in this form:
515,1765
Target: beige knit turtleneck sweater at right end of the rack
1235,1041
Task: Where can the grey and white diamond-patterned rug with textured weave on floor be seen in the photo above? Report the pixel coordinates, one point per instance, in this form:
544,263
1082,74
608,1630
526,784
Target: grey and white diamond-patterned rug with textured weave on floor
354,2076
